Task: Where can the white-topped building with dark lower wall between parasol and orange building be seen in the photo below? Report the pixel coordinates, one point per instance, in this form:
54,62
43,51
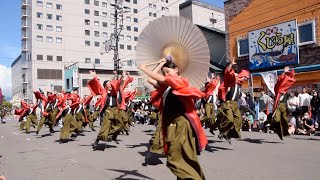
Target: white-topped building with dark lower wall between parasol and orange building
211,21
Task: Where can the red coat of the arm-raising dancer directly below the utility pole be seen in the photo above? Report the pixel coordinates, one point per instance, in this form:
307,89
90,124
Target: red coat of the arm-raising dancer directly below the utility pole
97,89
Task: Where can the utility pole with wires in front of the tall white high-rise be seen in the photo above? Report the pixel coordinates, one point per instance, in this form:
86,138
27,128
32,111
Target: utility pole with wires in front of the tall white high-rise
113,42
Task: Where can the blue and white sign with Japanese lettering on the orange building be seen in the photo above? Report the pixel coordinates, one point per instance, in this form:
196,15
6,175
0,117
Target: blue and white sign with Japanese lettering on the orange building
274,46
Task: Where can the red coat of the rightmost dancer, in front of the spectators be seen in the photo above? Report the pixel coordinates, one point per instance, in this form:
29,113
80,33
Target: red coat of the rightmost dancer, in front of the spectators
284,82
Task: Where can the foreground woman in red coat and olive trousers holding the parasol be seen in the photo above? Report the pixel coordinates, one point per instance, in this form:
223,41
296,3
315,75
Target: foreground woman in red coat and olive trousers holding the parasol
184,137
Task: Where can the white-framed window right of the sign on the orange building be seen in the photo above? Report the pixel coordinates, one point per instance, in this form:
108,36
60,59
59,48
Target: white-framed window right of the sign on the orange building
306,33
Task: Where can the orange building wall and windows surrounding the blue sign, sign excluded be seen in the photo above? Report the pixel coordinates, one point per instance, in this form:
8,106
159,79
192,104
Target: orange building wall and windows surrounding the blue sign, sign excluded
244,17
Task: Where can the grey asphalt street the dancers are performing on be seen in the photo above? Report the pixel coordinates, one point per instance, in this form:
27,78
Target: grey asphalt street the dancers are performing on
256,156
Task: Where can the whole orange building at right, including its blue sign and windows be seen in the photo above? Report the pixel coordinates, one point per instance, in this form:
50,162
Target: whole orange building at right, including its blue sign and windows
289,30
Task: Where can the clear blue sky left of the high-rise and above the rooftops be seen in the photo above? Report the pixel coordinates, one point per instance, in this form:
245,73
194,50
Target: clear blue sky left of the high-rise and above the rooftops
10,32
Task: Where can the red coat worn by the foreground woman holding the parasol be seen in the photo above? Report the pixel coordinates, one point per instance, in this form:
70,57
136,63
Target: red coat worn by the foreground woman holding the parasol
180,87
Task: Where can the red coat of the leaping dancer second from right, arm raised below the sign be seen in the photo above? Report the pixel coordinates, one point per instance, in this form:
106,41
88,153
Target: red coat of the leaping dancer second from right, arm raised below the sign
230,80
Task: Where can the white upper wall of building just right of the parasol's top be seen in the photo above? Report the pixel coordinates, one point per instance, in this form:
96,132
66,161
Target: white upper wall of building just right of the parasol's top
203,14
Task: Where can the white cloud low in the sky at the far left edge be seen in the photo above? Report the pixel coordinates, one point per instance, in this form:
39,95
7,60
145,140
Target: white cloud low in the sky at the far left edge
5,80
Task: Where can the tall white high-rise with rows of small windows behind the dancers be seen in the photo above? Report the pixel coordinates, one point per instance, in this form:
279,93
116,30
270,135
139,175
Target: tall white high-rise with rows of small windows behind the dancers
58,33
